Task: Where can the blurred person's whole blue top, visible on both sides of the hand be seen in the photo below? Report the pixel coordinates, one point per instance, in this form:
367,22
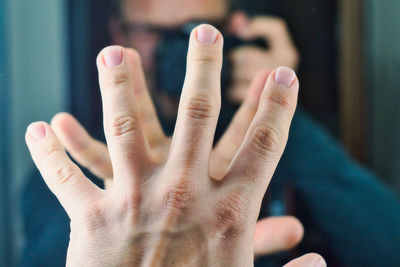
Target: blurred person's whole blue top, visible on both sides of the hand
350,217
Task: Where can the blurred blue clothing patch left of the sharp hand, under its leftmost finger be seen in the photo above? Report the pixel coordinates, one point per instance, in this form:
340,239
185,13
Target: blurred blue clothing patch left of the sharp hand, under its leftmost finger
45,225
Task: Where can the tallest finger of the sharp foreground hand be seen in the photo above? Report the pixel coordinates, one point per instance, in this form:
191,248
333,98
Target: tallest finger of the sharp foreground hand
200,101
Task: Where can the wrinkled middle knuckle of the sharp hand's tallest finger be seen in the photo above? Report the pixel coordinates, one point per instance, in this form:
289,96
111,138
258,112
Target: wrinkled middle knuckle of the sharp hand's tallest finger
200,108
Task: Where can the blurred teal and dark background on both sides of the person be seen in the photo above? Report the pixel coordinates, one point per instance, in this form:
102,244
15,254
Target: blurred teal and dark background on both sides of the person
349,72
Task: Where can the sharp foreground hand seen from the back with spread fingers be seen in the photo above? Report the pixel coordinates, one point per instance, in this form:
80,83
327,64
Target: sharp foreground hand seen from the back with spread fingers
170,212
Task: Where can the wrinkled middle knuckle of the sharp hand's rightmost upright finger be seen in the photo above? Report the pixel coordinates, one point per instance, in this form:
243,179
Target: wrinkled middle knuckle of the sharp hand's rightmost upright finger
266,140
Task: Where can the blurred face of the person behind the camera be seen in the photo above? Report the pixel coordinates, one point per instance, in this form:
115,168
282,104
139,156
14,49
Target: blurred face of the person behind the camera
143,14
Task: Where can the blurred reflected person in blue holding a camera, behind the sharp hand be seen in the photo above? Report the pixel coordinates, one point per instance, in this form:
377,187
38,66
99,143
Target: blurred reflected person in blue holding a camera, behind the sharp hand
348,215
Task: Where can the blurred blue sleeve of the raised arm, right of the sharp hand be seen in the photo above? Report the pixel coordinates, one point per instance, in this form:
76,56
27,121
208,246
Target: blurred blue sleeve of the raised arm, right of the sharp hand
357,215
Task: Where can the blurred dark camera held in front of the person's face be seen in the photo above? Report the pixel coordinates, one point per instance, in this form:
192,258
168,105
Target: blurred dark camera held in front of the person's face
171,54
